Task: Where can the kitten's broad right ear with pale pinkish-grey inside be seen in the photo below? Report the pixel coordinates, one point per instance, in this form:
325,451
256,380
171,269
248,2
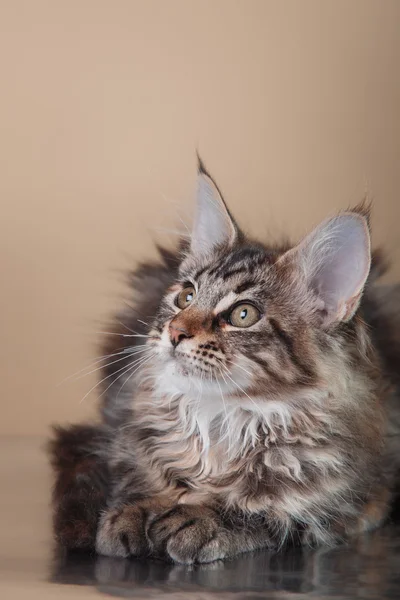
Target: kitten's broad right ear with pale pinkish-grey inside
334,261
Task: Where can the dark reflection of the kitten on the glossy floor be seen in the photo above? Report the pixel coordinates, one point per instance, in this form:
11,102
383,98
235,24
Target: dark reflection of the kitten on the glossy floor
369,567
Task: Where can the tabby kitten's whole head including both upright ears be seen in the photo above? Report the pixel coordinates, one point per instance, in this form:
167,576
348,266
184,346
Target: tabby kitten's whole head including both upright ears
253,319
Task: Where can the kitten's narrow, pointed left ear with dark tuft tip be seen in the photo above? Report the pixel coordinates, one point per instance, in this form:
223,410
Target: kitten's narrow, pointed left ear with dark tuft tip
213,225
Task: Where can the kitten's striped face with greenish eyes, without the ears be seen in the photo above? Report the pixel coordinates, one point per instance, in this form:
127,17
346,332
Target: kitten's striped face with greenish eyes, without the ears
233,321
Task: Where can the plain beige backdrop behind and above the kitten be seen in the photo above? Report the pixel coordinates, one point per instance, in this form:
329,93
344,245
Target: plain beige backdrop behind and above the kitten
294,105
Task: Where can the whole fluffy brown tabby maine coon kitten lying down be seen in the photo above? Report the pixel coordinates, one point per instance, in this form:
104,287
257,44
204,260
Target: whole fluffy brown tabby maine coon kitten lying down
257,411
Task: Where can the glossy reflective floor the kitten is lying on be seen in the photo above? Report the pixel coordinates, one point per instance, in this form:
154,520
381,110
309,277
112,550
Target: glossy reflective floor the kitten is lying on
30,566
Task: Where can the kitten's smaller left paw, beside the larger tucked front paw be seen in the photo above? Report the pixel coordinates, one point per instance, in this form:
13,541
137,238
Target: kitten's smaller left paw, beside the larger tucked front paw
122,533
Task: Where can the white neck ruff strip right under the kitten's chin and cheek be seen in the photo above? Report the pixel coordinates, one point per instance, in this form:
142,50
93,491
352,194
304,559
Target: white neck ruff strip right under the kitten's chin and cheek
235,422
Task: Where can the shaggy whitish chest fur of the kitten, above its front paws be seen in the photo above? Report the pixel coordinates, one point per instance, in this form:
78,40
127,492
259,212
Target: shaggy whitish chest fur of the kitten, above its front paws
202,438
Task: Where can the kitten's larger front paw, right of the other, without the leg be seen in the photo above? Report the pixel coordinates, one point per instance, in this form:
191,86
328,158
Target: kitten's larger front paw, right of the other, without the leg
188,534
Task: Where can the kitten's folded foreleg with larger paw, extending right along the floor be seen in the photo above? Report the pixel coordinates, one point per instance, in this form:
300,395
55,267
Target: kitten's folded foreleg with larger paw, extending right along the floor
199,534
